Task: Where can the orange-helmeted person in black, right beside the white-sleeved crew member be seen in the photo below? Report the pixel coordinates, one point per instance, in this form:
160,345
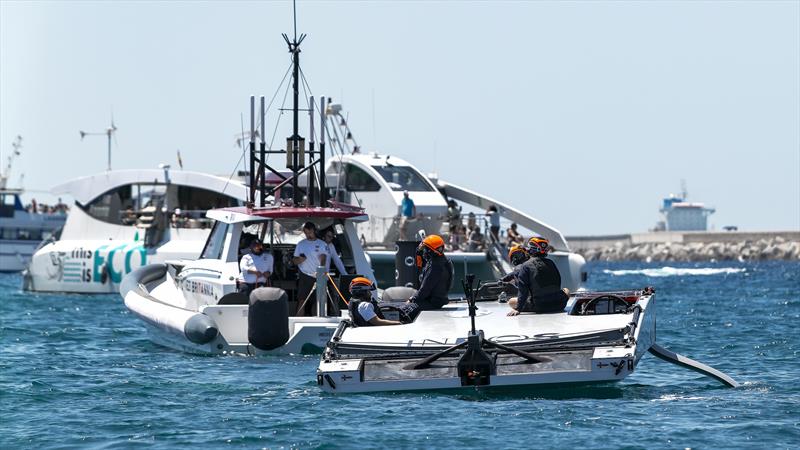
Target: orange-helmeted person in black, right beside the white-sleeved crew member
437,274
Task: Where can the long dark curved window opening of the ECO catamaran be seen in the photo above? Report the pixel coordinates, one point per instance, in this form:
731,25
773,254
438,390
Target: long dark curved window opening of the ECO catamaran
133,204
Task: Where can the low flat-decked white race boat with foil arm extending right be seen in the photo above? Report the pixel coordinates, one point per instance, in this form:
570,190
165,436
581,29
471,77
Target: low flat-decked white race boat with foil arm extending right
472,343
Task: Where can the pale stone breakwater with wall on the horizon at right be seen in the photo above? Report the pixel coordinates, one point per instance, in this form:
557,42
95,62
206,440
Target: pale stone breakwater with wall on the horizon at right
689,246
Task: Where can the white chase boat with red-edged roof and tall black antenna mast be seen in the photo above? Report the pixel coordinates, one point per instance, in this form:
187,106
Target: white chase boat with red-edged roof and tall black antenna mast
194,305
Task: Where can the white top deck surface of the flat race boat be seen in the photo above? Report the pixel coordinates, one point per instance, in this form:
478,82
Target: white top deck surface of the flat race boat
452,323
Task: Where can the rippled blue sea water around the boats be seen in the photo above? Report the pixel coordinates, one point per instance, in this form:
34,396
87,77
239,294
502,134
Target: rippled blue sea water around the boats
78,371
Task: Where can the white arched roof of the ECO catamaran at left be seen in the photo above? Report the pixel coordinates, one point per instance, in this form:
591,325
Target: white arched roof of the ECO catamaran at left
85,189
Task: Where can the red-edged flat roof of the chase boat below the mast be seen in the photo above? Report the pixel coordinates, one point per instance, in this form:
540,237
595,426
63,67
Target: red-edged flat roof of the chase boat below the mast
246,214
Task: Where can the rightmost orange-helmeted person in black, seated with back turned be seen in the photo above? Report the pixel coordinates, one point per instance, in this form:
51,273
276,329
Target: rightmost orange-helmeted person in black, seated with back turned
539,282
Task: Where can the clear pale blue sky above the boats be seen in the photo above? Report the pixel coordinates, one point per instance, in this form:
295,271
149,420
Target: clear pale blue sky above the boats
583,114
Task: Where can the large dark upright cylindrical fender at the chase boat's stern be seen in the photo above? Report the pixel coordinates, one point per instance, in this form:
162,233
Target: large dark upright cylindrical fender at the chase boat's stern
268,318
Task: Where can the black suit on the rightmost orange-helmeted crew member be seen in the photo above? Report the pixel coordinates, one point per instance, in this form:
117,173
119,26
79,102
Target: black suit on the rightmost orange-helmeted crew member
539,284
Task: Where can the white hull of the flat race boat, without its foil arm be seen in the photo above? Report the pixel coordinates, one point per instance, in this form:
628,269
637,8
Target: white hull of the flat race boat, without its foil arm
571,349
